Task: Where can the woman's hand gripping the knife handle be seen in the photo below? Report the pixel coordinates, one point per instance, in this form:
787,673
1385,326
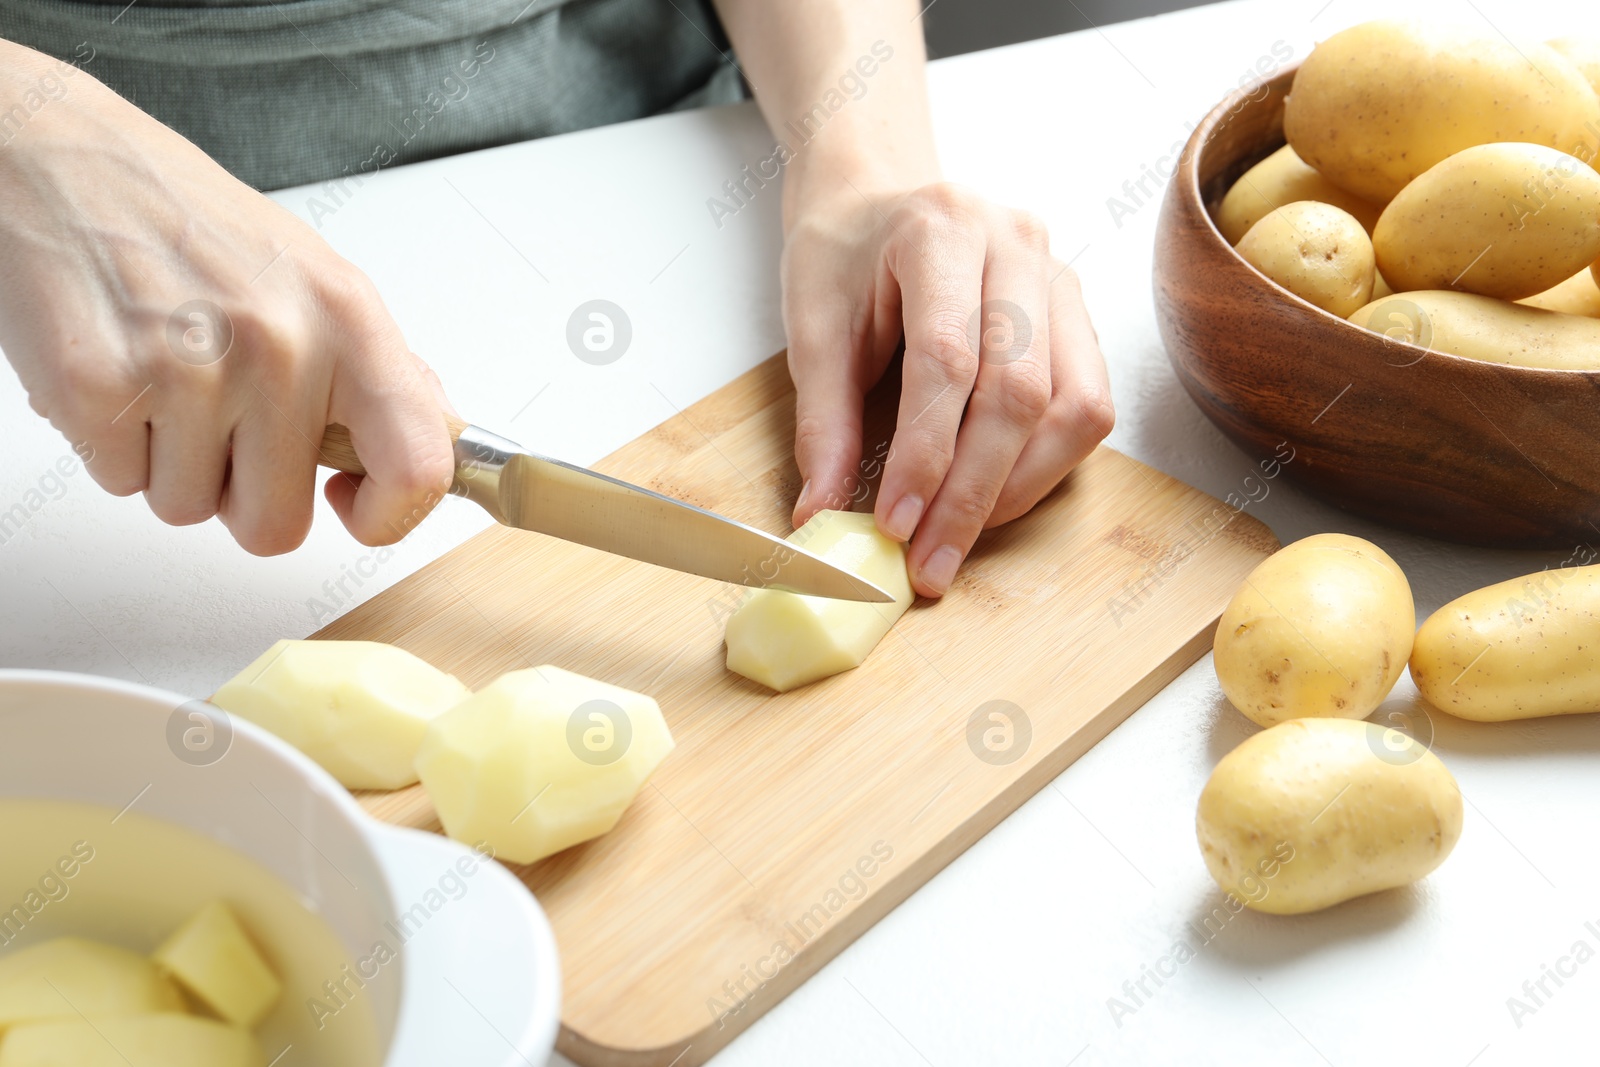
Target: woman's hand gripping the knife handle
193,338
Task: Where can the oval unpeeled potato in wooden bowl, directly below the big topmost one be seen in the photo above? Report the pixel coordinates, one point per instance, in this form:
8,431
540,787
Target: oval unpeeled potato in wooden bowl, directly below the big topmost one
1500,220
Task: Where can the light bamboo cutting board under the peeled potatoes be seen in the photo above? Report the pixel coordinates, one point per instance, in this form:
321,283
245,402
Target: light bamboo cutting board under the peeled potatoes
783,826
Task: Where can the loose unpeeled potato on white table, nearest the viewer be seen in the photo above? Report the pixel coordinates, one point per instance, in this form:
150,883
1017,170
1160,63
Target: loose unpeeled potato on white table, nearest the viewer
1322,810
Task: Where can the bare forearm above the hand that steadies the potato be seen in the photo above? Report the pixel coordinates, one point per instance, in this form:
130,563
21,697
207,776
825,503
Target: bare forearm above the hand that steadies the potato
841,84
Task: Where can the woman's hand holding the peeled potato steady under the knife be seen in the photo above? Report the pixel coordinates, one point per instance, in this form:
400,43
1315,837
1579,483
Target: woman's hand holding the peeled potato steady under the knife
1004,388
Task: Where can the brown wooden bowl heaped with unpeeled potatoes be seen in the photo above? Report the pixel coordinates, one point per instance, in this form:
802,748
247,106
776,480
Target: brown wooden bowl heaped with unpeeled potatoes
1402,281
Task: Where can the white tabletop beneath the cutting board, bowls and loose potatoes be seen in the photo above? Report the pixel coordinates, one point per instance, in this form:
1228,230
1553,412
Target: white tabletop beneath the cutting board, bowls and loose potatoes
1010,954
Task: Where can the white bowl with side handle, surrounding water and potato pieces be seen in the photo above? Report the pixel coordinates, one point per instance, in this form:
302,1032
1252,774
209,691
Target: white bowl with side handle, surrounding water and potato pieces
478,985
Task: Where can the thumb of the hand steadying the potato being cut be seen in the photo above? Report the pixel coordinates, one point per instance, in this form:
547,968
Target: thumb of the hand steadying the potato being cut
828,423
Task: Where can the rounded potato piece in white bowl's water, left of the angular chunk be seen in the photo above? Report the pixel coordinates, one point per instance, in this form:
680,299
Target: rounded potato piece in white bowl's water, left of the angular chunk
70,978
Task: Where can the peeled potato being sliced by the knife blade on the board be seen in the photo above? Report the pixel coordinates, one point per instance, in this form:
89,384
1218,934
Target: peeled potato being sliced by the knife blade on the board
786,641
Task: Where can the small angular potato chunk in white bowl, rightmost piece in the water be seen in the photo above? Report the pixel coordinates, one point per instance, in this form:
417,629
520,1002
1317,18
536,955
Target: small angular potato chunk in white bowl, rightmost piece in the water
214,959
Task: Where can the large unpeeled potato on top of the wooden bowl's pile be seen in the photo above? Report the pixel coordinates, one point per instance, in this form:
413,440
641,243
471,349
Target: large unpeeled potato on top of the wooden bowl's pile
1378,105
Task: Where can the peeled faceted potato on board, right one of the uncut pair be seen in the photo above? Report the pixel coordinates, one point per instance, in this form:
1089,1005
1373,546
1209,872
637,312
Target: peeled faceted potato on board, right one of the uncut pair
540,761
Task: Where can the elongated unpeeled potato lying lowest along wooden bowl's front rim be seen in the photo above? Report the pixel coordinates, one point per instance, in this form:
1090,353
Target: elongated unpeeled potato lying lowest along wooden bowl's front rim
1486,329
